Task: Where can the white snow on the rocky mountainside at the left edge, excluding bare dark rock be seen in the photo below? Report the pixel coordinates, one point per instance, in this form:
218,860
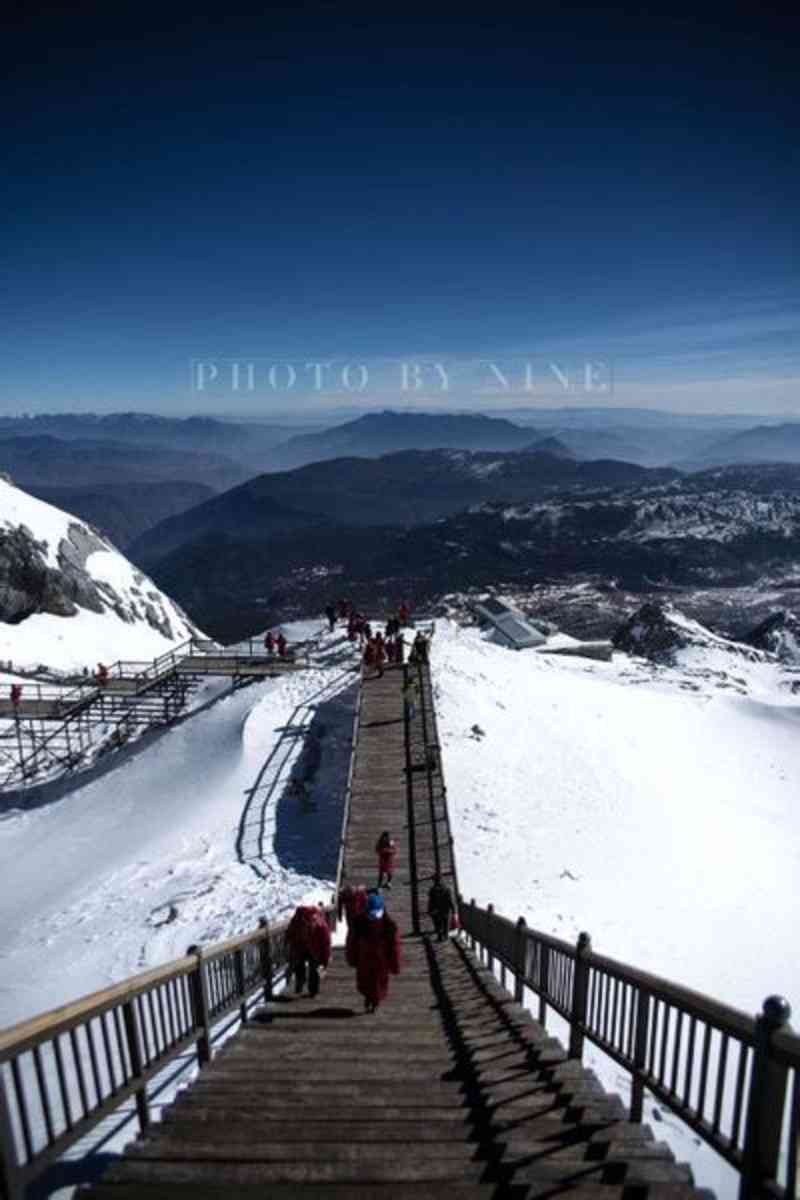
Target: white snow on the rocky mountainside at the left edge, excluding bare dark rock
134,621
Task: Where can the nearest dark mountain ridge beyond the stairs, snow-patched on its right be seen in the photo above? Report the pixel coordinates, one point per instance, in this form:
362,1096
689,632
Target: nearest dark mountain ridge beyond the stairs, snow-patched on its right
646,535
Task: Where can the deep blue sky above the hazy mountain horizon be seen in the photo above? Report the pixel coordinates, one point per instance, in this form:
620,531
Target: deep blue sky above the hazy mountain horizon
323,182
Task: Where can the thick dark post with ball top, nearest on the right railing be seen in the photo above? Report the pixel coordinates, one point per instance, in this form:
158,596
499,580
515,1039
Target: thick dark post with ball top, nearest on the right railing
766,1102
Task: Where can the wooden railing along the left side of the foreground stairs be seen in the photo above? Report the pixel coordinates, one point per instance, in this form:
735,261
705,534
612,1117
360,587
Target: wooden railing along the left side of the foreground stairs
62,1073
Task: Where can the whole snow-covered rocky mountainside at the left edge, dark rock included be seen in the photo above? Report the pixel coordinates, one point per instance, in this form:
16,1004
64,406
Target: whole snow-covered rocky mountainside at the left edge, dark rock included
69,598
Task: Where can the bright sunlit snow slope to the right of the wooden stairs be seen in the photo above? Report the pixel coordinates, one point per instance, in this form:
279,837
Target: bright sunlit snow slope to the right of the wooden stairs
652,807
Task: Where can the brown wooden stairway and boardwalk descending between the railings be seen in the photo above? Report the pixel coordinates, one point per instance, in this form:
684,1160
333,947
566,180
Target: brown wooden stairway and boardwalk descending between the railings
450,1089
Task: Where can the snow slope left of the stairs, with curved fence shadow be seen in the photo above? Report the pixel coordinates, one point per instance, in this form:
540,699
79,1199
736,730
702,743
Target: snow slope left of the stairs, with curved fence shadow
190,842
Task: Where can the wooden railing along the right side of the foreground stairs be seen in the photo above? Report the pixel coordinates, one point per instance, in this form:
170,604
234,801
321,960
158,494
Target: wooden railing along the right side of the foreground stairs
637,1019
